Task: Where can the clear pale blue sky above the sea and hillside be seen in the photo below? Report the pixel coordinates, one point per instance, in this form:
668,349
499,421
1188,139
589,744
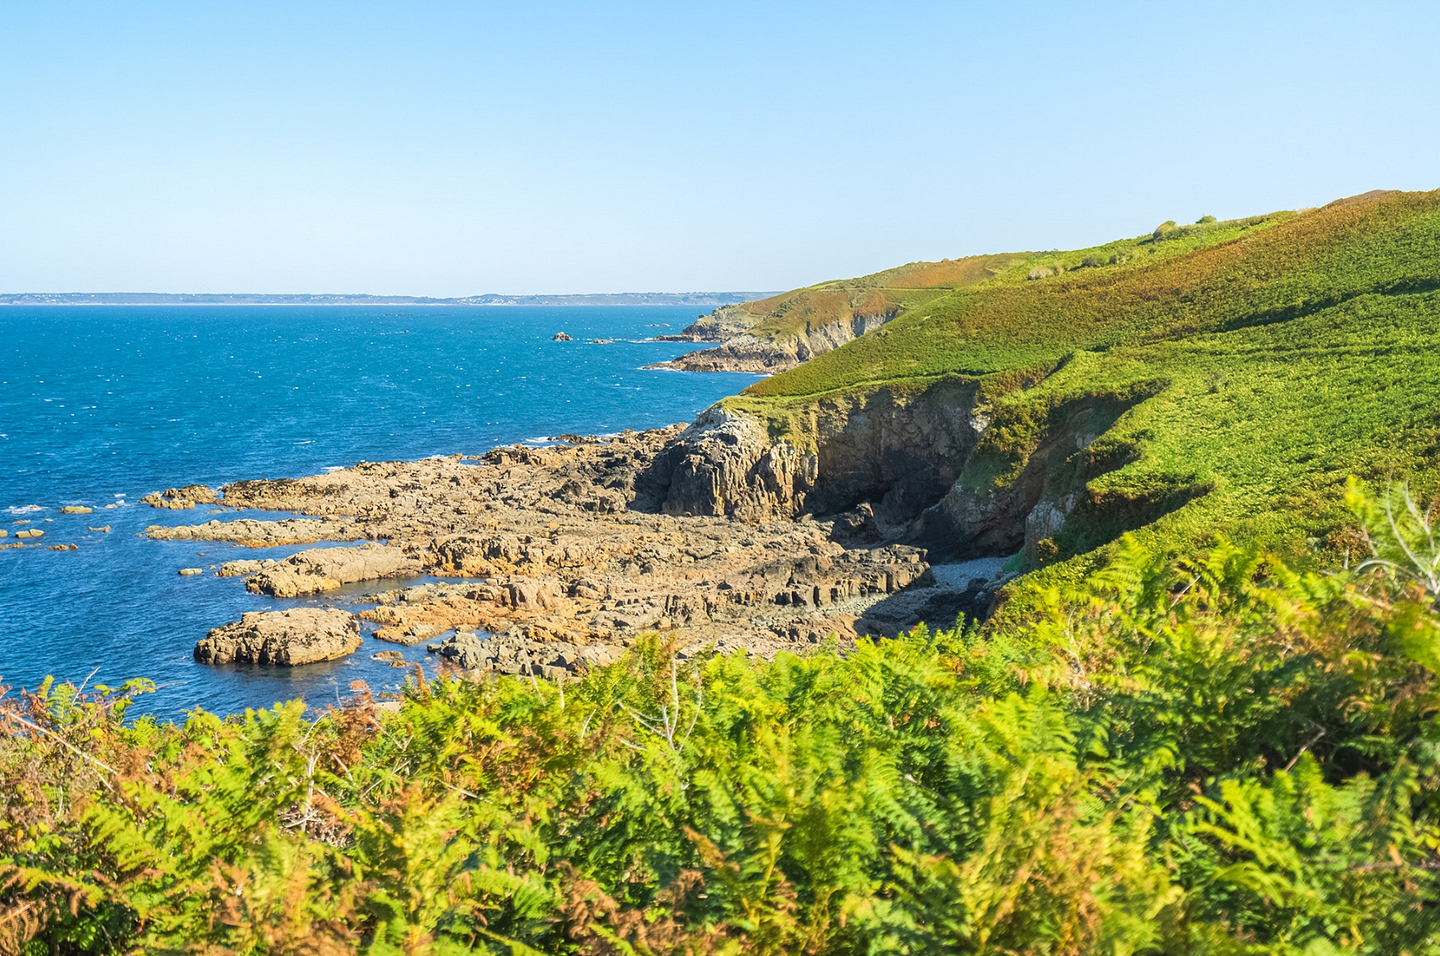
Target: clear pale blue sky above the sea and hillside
460,149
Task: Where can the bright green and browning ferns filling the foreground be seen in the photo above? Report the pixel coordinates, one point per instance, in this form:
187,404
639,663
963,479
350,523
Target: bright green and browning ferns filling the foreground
1210,757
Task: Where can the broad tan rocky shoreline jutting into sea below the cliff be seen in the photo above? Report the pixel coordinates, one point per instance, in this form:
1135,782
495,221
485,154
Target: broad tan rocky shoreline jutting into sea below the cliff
567,554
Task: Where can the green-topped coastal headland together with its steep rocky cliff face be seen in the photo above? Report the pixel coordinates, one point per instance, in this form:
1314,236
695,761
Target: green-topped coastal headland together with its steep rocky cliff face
1223,378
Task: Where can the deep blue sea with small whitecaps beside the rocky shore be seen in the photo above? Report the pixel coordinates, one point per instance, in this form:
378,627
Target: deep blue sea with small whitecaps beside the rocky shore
103,405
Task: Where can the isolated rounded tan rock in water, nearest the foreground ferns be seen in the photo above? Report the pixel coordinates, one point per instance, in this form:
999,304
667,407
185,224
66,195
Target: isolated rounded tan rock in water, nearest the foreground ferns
284,639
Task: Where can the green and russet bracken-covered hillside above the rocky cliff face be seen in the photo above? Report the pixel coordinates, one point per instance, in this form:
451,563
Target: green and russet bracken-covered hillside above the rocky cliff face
1278,356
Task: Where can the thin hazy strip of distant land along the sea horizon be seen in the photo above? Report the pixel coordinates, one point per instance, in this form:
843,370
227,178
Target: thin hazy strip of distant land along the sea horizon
701,300
